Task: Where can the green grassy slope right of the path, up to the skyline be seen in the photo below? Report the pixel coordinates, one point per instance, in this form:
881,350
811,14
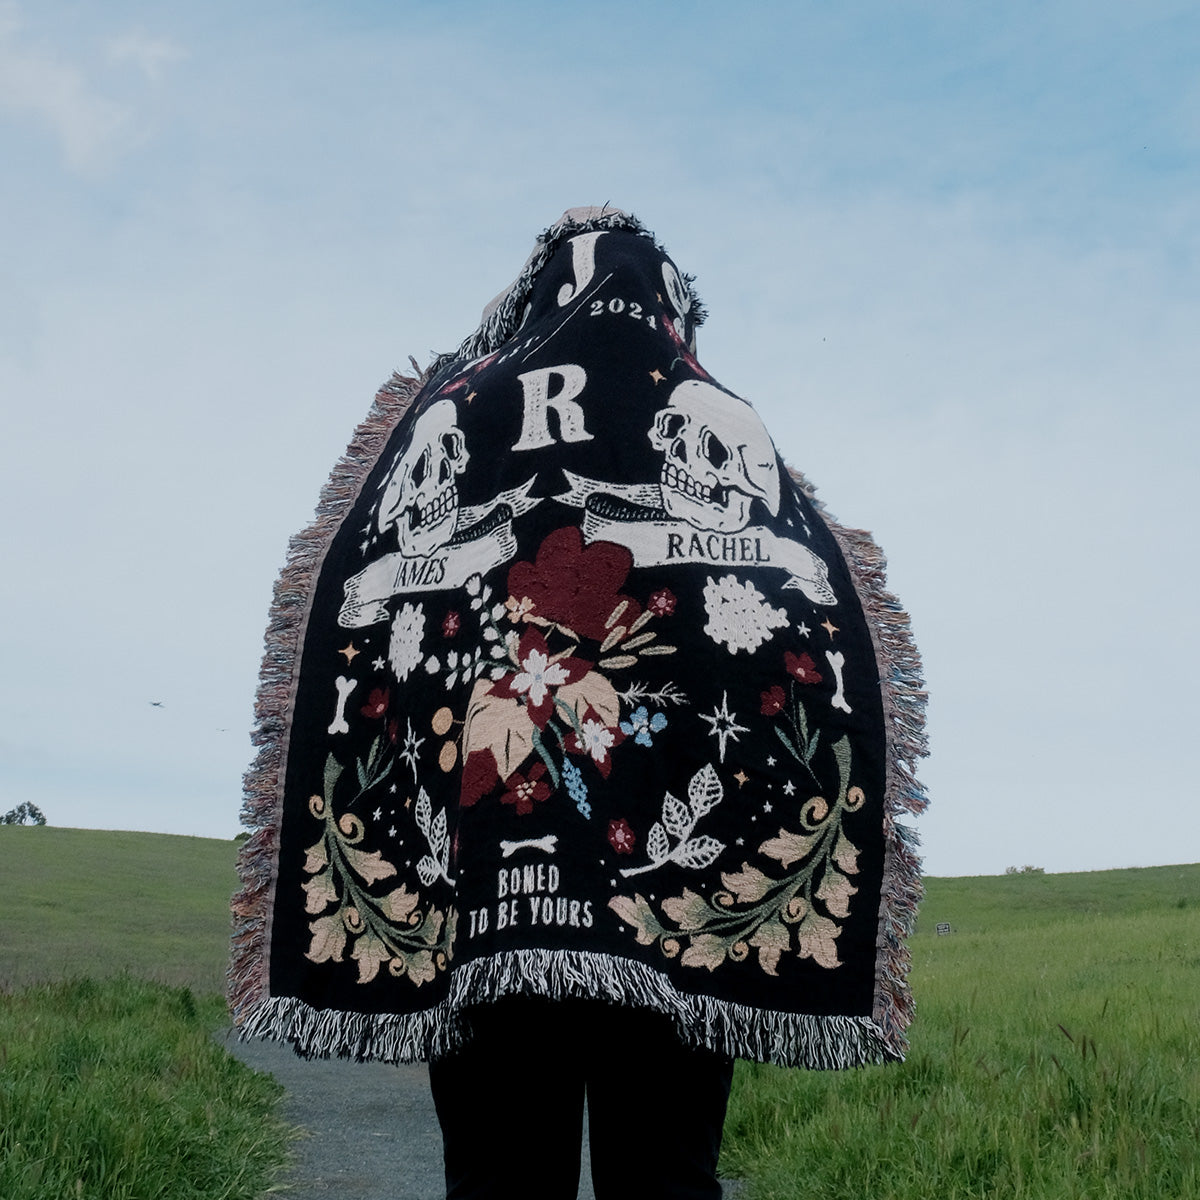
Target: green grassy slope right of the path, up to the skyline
1054,1058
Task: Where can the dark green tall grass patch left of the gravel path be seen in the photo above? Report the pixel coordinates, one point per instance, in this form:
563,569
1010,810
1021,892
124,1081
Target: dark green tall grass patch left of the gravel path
117,1091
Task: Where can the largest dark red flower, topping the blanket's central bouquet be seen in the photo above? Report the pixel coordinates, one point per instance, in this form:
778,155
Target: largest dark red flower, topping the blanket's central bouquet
574,585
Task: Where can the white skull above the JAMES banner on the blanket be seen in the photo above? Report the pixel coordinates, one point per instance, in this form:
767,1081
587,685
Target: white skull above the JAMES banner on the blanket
421,496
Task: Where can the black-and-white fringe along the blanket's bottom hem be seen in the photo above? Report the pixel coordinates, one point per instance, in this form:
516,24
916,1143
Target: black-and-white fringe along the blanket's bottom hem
824,1043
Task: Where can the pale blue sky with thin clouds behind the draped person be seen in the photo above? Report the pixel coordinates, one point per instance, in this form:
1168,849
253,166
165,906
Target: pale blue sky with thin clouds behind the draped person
950,253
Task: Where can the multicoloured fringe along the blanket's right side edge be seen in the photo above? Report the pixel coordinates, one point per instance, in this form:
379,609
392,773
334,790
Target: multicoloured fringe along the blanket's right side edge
903,691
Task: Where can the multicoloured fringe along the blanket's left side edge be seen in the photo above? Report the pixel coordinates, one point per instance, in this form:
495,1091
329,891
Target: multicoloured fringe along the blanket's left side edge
259,860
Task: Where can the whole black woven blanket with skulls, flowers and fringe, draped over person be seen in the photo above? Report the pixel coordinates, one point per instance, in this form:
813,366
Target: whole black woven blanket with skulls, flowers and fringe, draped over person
573,689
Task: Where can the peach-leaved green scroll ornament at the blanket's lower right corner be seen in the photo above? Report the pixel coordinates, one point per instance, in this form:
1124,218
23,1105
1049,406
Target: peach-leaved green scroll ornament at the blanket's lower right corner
801,910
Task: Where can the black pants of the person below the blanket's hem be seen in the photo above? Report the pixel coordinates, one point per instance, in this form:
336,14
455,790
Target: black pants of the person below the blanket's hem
512,1106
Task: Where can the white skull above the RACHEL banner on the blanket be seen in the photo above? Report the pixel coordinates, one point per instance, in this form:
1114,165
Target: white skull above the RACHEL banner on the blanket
717,458
